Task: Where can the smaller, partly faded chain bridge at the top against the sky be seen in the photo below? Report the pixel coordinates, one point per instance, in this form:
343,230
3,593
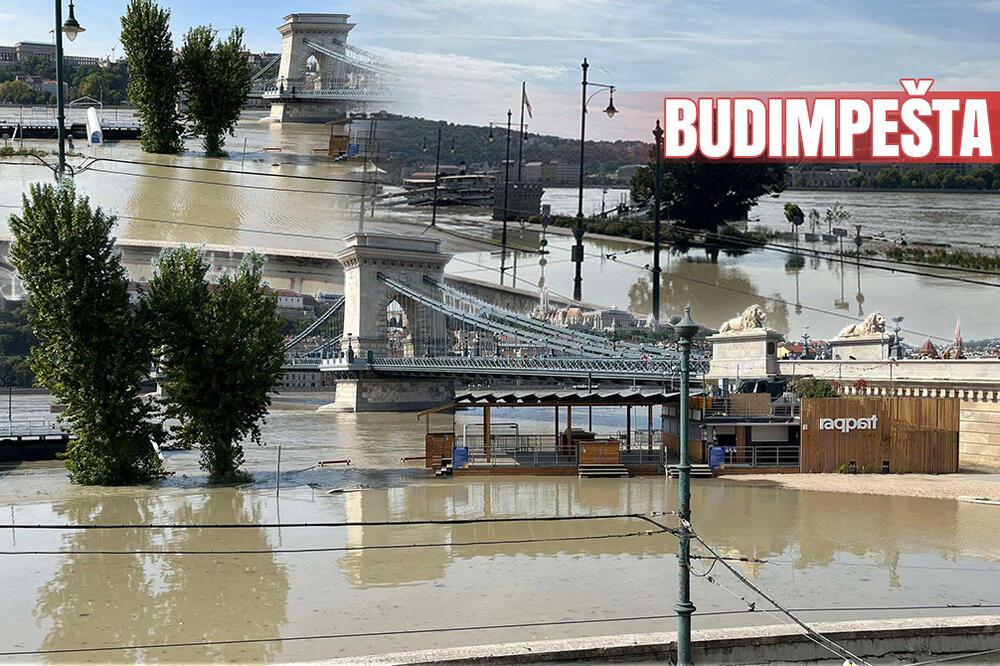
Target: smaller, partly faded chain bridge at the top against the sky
320,76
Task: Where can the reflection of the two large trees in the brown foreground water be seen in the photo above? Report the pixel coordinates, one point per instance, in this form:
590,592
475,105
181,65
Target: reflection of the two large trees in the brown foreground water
141,599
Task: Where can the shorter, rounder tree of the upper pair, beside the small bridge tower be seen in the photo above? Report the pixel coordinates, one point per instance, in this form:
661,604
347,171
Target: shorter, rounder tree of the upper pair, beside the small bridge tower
215,79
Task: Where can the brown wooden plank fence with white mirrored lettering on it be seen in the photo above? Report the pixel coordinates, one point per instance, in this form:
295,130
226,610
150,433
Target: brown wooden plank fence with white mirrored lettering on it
912,435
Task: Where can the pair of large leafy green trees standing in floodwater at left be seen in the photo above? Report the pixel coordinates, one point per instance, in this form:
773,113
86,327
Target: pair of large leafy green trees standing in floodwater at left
219,346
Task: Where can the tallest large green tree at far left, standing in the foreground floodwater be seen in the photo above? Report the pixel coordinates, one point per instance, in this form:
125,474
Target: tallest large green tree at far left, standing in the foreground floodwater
94,348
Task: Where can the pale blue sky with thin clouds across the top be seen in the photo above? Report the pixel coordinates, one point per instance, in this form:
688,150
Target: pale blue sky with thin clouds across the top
464,60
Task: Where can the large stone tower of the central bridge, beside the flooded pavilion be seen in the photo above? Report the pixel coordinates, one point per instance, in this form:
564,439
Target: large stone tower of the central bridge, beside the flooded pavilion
406,260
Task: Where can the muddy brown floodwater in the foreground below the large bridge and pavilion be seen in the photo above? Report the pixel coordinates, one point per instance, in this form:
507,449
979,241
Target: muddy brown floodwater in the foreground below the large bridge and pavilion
845,555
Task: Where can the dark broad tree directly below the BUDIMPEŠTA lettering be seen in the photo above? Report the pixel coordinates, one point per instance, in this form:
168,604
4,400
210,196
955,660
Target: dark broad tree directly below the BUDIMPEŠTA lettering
706,195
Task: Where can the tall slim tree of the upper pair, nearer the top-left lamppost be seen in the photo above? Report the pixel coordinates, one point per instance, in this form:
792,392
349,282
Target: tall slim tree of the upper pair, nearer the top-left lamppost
153,80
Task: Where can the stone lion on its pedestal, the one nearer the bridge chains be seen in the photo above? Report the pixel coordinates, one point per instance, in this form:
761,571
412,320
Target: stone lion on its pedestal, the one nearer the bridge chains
744,347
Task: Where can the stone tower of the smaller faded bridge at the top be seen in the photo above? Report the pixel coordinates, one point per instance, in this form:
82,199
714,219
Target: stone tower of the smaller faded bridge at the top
300,34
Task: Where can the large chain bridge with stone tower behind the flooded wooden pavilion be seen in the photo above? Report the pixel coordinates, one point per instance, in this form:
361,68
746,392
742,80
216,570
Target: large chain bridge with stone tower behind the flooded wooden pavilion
400,338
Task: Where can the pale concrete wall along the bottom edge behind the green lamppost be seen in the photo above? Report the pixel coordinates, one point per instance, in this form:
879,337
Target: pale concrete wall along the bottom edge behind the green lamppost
923,637
